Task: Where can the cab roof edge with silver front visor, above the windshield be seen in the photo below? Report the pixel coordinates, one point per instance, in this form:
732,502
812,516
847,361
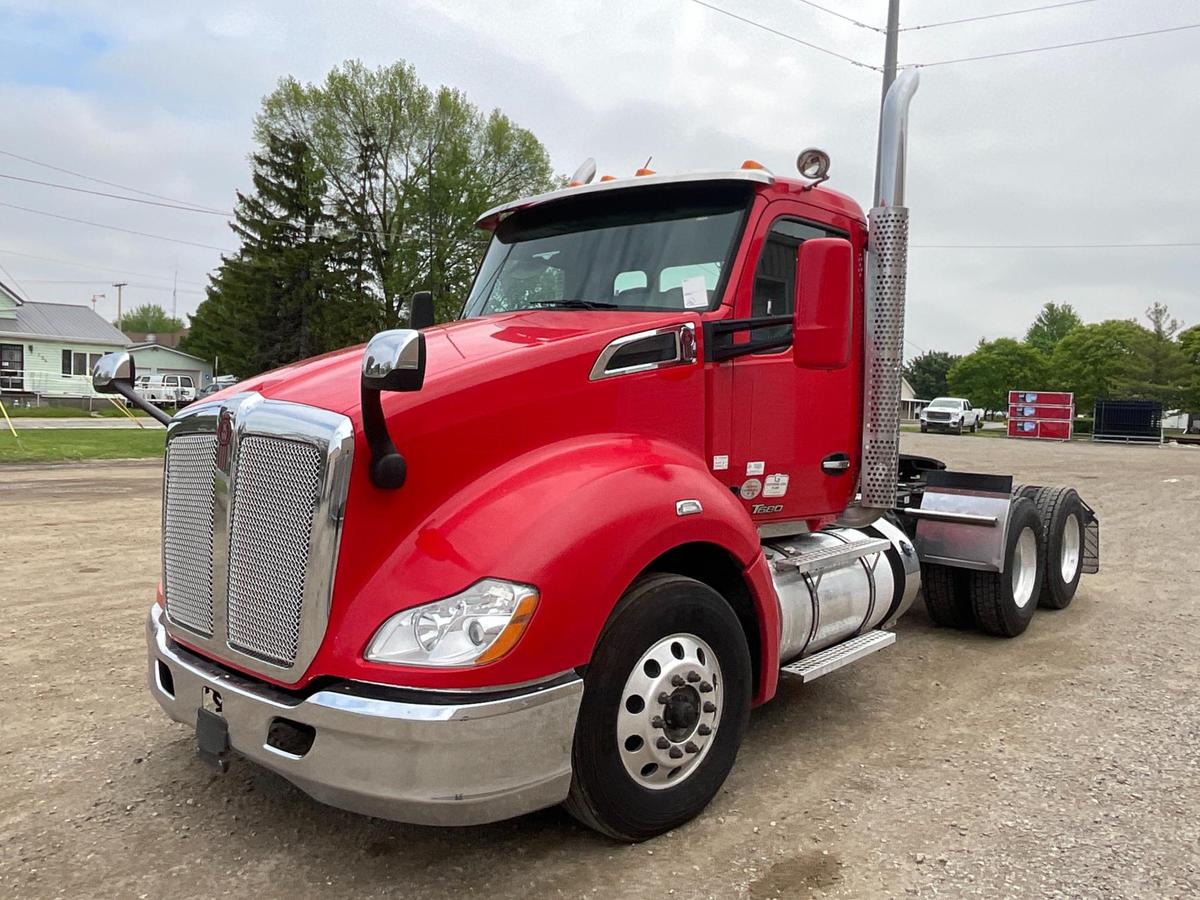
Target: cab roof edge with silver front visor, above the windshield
764,182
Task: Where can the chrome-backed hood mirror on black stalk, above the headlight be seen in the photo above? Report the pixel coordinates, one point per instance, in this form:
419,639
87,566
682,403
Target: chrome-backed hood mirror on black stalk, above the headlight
393,362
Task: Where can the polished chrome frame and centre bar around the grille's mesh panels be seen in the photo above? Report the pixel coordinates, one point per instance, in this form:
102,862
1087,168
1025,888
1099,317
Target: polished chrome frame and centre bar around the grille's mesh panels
333,435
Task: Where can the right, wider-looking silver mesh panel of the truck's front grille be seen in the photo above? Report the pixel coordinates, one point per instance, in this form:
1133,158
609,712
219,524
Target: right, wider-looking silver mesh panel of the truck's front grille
275,497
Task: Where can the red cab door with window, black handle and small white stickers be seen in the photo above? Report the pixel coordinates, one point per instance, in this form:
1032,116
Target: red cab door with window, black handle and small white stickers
796,431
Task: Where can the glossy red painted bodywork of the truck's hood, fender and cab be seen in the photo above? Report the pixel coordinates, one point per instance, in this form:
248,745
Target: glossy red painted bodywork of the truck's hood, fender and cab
521,469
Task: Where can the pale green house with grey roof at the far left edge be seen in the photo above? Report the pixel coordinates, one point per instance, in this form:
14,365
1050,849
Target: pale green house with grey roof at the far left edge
47,351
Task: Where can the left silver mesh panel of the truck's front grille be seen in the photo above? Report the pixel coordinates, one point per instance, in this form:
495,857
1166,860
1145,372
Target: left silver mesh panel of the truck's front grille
188,531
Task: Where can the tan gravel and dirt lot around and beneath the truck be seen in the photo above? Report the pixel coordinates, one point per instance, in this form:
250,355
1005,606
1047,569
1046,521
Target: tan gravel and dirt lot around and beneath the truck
1063,764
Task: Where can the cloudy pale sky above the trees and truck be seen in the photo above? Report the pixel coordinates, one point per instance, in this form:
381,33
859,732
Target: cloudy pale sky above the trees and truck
1087,146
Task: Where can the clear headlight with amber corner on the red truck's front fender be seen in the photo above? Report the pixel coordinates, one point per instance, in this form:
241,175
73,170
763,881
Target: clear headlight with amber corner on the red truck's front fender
479,626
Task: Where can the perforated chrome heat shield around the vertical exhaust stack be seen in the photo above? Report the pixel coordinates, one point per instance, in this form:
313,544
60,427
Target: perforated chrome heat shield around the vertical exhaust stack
887,267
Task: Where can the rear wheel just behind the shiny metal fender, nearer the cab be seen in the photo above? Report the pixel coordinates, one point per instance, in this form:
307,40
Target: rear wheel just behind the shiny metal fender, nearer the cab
1004,603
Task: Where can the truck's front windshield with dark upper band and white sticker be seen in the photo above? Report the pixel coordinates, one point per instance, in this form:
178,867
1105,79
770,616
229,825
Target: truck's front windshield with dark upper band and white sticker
650,250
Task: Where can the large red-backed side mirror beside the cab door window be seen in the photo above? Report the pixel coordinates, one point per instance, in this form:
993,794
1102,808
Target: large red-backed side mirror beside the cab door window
825,304
